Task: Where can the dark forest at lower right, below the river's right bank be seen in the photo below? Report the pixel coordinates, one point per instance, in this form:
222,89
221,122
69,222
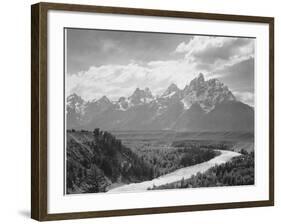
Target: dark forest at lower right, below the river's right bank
239,171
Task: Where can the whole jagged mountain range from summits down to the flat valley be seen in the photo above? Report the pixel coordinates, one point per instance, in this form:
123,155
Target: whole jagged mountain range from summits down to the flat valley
202,105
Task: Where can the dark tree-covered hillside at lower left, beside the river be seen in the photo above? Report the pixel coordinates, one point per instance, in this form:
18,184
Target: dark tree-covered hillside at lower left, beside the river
96,160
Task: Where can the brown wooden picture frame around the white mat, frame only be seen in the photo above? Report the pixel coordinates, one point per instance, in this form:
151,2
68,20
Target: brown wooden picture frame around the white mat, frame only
39,109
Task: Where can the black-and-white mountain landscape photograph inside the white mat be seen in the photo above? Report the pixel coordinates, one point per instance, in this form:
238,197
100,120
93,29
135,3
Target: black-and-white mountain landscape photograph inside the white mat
148,111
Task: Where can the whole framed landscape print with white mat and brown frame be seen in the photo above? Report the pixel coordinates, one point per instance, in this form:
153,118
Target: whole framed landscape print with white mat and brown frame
140,111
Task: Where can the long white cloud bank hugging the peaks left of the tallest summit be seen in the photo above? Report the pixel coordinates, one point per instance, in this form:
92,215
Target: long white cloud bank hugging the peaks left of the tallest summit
121,80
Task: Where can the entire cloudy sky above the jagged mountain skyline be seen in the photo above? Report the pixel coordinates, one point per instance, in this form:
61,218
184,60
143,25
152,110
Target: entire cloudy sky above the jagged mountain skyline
115,63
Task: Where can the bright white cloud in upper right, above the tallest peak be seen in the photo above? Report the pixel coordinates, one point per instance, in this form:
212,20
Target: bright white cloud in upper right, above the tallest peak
215,53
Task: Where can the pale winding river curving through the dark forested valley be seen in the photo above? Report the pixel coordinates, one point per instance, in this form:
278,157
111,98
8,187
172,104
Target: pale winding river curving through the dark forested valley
177,175
